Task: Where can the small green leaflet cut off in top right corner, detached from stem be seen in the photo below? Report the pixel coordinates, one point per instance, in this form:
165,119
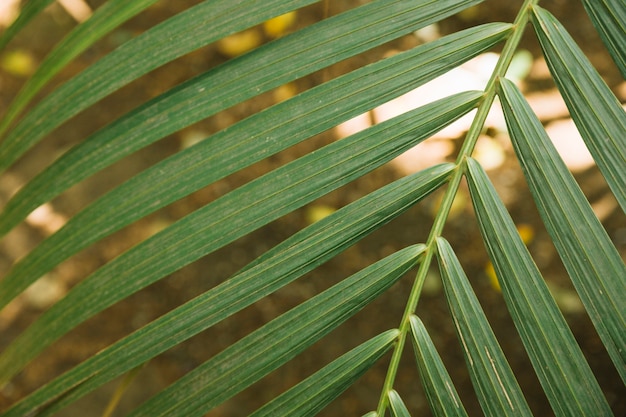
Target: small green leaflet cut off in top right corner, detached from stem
609,18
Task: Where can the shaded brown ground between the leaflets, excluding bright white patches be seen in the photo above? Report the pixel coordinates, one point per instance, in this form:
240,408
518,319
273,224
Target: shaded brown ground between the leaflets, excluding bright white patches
200,276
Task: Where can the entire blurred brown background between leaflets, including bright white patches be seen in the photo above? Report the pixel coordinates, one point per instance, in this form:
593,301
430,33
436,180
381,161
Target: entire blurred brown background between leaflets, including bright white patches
20,59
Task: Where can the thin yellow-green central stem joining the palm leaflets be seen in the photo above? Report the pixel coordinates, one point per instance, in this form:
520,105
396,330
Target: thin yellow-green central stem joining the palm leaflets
467,148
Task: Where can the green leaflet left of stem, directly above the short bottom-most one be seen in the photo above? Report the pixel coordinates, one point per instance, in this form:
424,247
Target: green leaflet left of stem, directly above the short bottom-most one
259,353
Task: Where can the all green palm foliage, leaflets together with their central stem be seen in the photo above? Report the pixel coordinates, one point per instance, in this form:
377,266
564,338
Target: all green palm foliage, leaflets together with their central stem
592,261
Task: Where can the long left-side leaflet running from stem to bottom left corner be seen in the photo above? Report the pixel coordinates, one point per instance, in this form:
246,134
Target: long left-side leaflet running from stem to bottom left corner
284,263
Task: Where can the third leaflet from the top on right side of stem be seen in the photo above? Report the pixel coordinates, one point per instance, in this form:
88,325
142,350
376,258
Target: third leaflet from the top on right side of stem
563,372
